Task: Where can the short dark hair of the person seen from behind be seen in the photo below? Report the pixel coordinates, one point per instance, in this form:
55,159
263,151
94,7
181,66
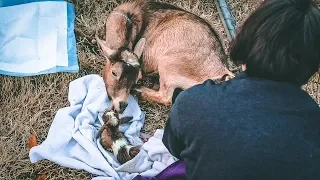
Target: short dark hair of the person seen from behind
280,41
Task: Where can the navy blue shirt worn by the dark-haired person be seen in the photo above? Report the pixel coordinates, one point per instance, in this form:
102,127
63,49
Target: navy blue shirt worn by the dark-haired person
246,128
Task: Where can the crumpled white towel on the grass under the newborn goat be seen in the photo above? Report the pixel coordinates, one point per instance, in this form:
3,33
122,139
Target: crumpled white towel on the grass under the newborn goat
71,141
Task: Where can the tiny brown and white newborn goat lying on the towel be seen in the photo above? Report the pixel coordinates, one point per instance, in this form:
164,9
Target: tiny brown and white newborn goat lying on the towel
113,140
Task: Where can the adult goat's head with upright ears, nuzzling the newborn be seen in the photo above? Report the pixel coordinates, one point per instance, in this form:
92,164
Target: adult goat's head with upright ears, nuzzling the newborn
121,72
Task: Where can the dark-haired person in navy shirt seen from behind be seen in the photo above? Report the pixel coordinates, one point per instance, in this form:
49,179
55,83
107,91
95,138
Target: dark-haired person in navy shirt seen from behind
260,124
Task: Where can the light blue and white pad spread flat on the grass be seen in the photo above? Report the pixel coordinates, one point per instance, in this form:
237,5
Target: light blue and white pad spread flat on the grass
29,45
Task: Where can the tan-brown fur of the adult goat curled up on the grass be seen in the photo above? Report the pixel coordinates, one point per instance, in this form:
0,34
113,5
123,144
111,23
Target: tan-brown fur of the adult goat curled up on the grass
180,46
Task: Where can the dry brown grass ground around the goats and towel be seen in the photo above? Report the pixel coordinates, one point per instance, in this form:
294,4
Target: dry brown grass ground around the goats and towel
28,105
